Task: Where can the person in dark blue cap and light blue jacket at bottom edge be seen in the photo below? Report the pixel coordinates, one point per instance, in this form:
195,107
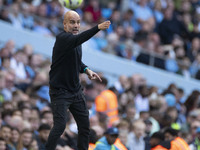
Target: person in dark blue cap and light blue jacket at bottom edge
108,140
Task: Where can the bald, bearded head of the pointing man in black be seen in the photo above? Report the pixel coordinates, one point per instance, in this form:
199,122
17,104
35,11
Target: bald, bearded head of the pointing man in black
71,22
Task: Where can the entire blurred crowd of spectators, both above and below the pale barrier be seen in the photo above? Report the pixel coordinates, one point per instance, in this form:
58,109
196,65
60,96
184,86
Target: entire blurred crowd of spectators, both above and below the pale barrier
26,116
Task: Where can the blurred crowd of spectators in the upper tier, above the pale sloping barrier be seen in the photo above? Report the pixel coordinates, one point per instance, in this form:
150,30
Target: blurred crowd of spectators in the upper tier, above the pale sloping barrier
161,33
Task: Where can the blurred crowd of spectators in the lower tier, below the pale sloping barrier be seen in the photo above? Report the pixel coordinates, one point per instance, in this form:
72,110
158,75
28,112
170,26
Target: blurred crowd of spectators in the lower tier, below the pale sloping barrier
26,116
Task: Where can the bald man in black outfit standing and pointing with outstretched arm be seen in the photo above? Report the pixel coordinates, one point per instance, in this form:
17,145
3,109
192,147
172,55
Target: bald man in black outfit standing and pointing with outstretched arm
65,88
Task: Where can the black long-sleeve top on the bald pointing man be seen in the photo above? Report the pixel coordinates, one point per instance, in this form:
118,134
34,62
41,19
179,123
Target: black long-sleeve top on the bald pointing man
66,60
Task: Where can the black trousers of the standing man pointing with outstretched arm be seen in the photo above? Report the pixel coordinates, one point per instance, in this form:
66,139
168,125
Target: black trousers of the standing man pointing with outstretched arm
61,100
